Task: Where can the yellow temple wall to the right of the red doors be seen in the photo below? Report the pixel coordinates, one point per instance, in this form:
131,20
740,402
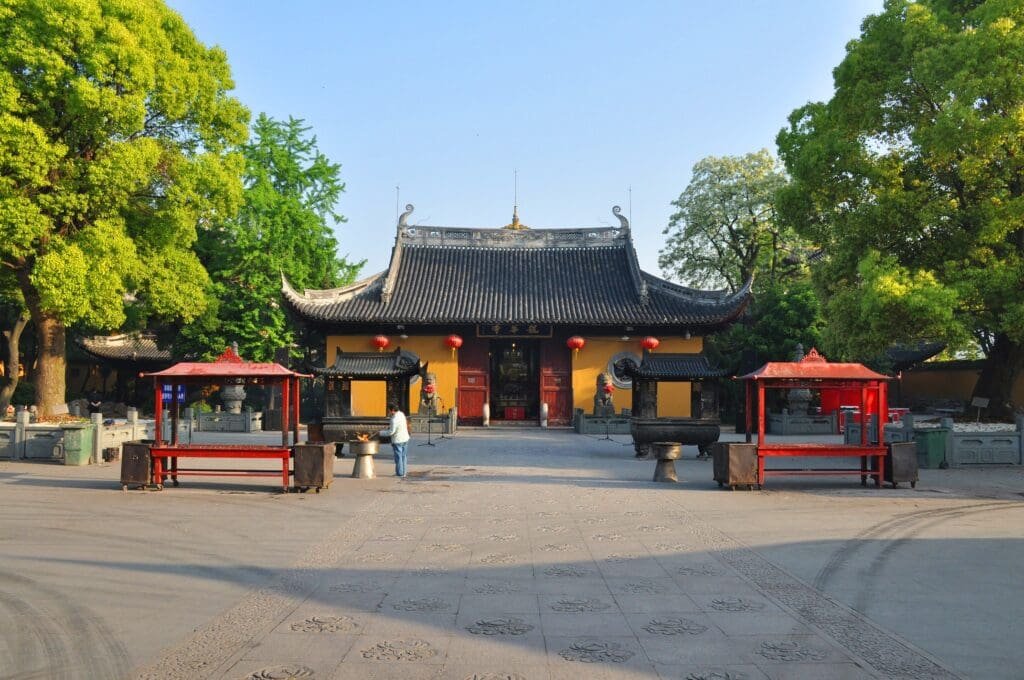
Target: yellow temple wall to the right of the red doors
673,399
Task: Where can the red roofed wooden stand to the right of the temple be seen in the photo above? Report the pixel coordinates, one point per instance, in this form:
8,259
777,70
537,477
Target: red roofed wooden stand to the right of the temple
814,372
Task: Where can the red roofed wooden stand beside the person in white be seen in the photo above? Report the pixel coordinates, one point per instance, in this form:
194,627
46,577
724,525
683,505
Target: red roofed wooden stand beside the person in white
228,369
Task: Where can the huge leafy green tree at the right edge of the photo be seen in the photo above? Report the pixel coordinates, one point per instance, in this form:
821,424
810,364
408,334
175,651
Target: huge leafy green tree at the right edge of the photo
912,179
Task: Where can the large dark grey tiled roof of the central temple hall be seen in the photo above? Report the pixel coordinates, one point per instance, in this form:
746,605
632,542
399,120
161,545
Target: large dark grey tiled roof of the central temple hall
448,275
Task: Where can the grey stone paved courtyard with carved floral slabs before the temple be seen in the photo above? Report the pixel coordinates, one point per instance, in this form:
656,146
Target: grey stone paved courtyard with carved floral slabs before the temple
523,555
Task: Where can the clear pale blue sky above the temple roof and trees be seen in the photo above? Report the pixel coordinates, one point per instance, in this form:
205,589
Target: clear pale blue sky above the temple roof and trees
592,104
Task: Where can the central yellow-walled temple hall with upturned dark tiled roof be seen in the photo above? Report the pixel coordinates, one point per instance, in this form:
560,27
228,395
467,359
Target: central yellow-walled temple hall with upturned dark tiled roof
511,319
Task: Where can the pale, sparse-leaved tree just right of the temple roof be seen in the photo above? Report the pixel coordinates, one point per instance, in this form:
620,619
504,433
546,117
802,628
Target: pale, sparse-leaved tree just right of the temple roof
727,229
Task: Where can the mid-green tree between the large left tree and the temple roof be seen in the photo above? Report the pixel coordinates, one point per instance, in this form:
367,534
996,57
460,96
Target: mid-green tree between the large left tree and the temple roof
284,227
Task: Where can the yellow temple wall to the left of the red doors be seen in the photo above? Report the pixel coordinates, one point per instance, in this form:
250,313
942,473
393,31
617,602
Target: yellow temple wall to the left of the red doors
369,396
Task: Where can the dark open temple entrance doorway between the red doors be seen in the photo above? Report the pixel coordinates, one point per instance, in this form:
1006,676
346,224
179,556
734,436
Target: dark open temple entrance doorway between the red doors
516,380
